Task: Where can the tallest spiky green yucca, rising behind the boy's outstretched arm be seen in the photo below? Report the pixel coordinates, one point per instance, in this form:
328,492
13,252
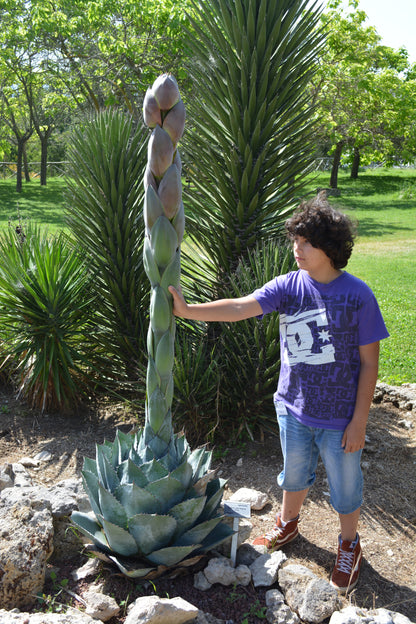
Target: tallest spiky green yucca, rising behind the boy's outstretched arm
253,144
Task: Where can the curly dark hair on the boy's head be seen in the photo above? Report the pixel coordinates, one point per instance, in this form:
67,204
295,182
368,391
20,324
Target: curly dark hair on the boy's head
325,228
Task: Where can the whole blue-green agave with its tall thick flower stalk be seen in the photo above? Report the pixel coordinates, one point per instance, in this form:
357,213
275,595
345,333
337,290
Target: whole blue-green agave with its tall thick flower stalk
155,501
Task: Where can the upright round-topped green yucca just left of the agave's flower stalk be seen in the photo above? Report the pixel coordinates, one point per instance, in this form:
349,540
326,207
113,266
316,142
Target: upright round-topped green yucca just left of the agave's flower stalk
107,160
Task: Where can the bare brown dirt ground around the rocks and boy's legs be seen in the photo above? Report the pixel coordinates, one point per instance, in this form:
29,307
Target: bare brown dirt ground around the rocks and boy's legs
387,526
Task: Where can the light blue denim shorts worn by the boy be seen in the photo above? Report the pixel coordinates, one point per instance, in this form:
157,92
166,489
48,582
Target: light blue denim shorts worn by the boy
302,446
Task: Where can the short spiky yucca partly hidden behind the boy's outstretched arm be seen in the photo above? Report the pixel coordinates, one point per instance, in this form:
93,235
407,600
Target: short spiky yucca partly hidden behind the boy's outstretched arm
252,347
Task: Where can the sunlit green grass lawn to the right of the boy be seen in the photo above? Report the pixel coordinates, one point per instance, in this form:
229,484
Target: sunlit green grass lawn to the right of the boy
383,202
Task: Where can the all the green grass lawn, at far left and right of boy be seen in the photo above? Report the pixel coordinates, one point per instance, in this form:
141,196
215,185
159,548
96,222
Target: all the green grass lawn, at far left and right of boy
382,201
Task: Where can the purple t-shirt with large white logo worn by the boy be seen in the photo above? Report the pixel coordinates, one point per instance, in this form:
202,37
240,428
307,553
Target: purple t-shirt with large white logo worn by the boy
321,328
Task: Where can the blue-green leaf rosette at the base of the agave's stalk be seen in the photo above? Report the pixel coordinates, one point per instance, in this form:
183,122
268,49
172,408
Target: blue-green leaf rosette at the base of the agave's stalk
156,512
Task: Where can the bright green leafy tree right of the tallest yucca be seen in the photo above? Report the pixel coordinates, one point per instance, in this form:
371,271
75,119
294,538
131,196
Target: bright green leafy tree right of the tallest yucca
358,89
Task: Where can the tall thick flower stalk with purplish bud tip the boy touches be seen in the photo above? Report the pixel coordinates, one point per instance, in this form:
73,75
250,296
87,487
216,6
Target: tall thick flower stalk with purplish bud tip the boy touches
164,112
